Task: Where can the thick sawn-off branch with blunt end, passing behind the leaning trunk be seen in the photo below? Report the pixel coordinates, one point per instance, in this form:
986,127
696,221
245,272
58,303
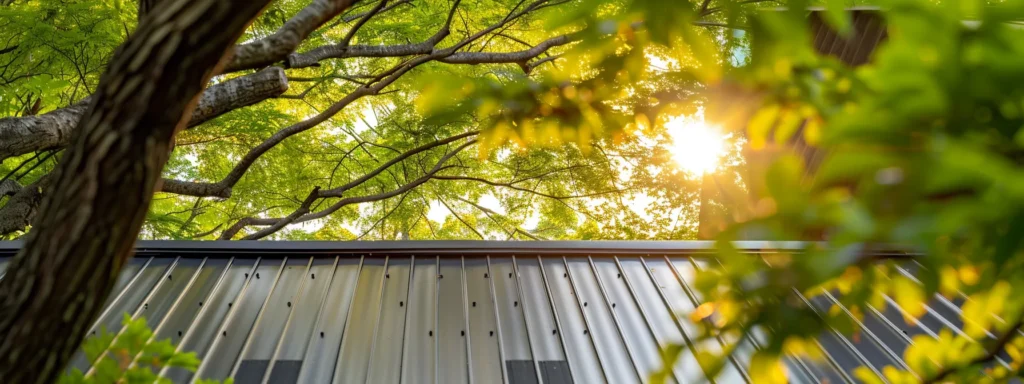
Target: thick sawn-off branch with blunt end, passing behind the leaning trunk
23,136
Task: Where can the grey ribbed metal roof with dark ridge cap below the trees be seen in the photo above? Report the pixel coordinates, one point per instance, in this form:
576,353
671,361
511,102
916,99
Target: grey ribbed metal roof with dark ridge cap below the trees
457,313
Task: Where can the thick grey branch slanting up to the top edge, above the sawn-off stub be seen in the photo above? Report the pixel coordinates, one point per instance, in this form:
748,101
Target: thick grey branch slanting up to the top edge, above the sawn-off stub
276,48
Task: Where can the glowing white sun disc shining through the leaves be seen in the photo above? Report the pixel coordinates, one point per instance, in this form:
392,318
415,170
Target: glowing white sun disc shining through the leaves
697,148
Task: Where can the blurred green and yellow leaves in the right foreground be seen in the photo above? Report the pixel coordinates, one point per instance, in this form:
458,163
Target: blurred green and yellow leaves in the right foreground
920,193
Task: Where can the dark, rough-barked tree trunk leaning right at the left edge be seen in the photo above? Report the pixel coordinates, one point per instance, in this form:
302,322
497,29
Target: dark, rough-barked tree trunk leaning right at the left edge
100,194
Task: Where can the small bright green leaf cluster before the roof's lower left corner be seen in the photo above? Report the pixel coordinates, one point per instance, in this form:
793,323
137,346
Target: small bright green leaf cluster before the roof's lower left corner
132,357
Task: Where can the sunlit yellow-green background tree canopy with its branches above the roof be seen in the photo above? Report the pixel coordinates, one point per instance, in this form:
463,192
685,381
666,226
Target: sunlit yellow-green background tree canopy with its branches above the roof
340,100
